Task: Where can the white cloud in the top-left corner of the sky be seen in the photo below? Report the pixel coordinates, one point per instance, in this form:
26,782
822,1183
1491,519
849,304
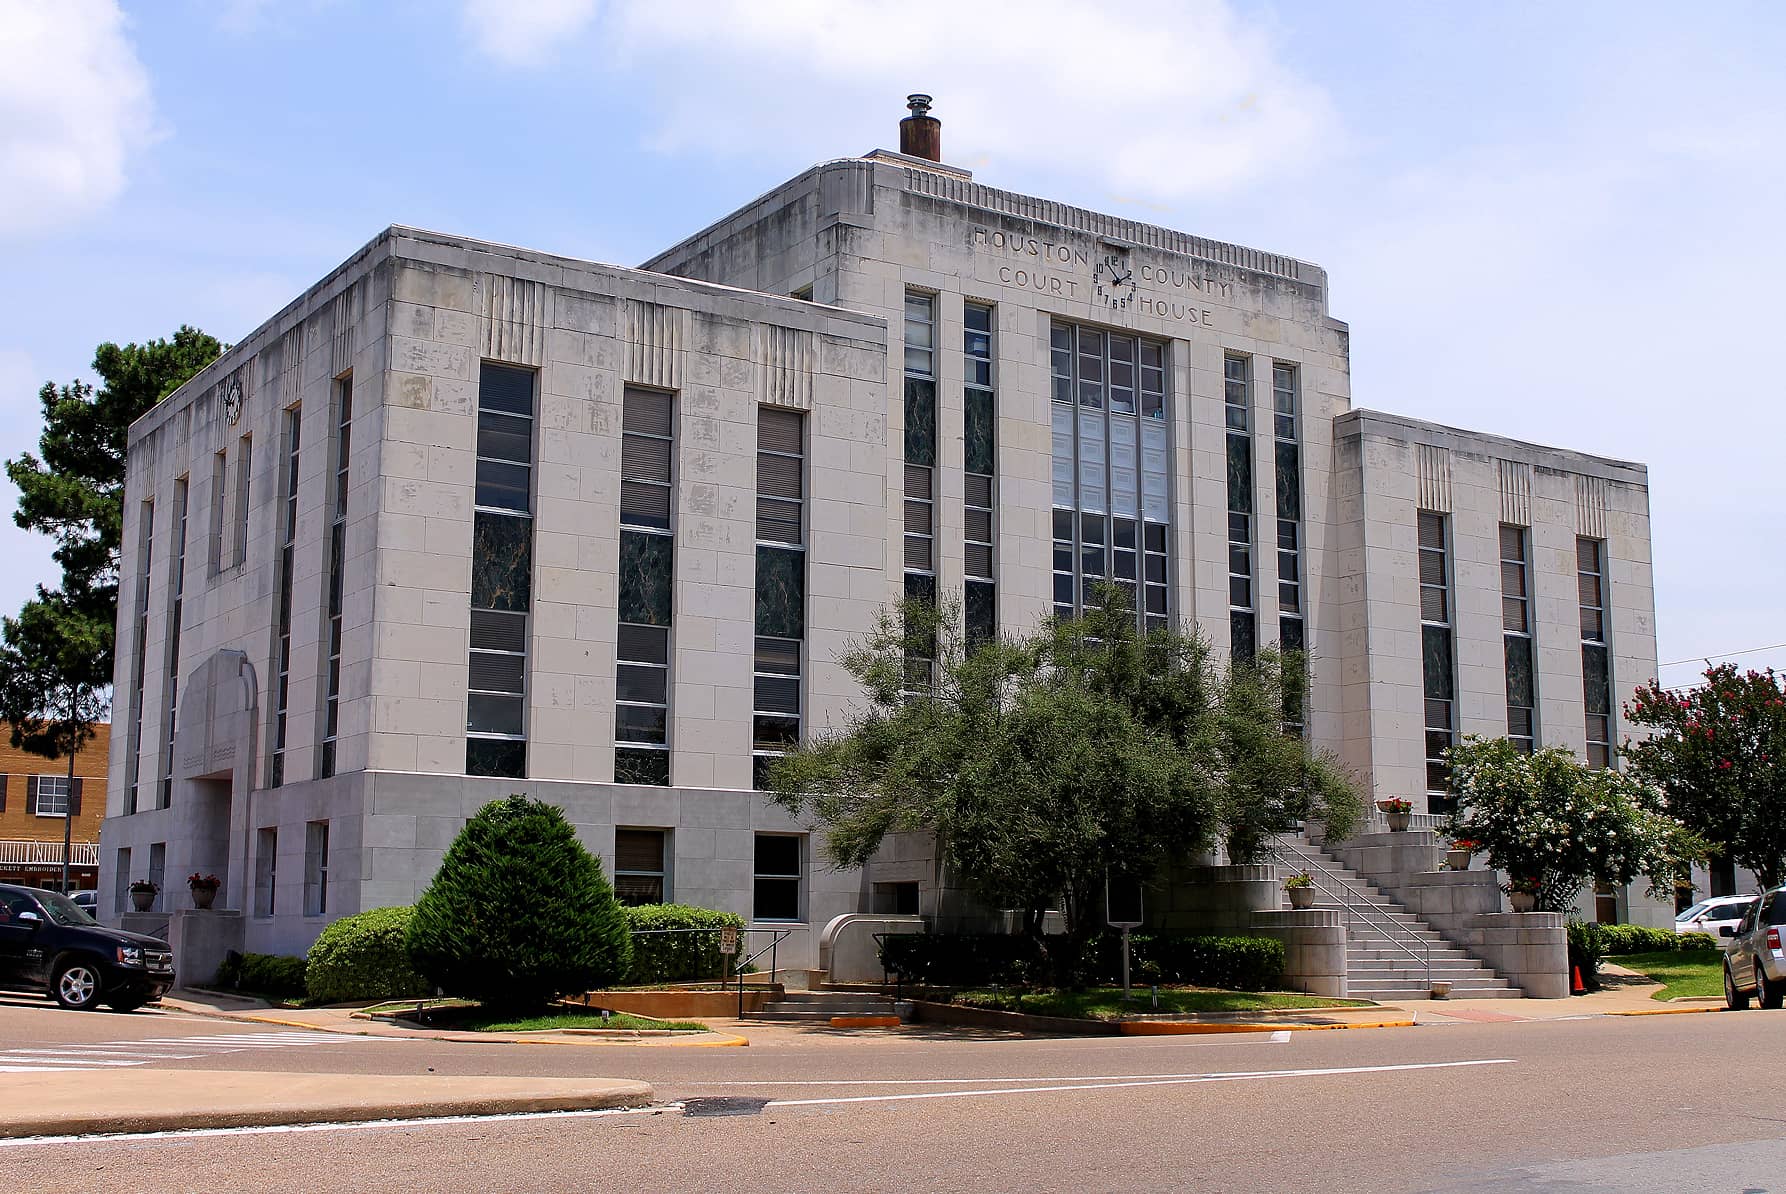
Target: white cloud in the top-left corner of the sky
74,112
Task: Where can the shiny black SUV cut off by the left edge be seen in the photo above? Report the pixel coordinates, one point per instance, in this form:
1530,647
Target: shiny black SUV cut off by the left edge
49,945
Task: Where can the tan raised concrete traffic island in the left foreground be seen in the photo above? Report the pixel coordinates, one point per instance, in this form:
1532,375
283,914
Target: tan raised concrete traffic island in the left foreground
181,1100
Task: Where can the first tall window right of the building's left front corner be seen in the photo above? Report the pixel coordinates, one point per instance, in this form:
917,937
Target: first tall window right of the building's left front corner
503,574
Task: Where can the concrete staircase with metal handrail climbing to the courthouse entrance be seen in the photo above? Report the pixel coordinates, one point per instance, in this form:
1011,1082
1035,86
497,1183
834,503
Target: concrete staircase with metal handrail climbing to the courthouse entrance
1389,949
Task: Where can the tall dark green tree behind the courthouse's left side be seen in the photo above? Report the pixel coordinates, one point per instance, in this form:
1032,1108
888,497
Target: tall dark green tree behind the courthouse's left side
56,656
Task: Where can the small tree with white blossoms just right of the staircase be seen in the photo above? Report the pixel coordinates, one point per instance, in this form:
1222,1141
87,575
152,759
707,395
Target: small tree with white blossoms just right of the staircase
1556,824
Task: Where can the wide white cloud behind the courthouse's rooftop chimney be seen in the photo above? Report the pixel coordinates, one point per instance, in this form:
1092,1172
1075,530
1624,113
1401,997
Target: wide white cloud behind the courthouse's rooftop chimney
1156,99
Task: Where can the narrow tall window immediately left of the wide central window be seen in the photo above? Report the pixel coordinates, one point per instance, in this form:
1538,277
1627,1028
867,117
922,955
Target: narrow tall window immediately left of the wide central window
980,433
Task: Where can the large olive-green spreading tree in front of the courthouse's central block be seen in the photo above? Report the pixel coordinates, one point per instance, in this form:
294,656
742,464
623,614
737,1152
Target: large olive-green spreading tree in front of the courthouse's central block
1046,765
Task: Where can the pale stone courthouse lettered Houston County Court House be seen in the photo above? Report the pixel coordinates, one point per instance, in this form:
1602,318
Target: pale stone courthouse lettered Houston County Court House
469,520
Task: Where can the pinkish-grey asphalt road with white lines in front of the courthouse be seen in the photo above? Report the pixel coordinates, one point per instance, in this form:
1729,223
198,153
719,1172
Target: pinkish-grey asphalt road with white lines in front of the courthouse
1610,1104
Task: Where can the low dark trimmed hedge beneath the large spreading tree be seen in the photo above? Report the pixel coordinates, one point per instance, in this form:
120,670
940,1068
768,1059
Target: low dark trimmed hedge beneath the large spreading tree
1003,959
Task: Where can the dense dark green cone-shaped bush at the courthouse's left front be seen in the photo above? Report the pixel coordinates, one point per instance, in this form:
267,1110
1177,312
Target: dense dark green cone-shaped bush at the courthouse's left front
519,913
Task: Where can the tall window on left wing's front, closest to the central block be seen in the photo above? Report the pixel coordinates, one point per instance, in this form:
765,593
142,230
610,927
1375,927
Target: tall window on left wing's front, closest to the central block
781,588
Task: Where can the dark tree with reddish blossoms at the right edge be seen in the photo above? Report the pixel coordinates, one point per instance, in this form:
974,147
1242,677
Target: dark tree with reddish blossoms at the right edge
1719,756
